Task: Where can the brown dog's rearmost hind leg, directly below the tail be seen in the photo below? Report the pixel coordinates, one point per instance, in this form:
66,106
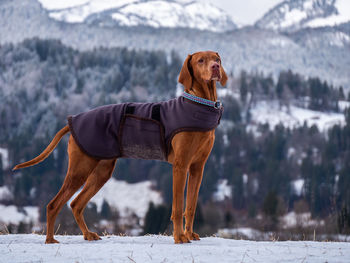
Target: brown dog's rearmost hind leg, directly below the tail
79,167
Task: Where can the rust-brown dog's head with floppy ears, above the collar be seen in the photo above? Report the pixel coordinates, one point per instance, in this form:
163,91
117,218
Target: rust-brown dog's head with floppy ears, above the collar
203,67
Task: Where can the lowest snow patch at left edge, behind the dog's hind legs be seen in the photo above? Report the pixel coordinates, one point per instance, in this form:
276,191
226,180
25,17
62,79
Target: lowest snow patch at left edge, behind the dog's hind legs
13,215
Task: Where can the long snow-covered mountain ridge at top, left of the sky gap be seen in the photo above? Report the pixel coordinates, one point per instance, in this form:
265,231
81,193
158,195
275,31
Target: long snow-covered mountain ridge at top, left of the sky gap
154,13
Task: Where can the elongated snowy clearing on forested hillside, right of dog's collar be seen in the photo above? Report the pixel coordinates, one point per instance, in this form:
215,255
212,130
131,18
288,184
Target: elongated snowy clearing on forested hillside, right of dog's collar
271,113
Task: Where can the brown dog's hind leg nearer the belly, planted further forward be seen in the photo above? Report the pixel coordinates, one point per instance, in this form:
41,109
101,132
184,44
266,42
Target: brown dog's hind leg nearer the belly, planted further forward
94,183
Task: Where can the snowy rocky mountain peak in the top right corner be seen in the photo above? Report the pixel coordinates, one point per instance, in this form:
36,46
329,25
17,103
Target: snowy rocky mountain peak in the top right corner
292,15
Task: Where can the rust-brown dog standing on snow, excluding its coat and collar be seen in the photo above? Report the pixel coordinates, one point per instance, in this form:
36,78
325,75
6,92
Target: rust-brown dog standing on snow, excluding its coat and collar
189,153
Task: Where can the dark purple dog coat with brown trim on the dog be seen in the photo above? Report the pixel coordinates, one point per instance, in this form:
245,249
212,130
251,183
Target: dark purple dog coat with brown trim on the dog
139,130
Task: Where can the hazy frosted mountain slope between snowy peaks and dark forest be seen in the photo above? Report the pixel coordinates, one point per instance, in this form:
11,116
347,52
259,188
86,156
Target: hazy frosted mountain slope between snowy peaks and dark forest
311,52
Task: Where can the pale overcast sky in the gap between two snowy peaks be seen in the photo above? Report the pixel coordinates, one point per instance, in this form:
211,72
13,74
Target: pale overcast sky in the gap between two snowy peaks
245,11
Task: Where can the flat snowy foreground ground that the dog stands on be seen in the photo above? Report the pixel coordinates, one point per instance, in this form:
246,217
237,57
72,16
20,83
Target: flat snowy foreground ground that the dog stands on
31,248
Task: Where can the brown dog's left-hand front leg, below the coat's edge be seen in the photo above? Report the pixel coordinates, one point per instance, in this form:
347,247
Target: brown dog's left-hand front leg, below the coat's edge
179,180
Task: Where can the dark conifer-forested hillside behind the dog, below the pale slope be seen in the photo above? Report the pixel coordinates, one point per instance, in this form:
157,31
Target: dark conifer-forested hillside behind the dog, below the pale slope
43,81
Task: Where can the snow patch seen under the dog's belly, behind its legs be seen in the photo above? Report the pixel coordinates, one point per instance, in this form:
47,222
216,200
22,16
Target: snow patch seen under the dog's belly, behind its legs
127,198
